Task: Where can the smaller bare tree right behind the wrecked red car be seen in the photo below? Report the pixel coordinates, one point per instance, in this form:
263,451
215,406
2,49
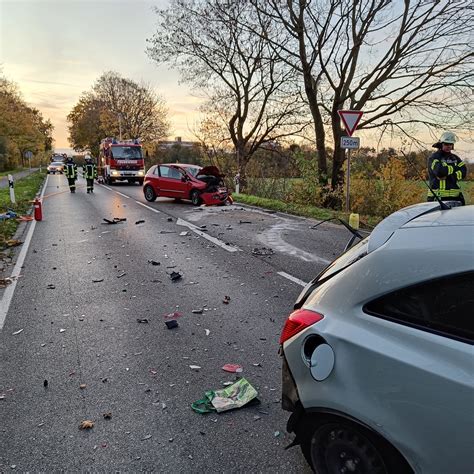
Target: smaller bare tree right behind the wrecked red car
250,90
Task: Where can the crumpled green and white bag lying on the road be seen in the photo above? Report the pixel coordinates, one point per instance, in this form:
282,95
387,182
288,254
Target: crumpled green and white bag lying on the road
235,396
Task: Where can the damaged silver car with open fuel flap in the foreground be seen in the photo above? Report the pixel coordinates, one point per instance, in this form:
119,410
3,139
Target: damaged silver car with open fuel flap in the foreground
378,364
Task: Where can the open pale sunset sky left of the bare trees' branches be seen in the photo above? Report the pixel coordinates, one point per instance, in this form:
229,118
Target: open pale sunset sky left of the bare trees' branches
56,49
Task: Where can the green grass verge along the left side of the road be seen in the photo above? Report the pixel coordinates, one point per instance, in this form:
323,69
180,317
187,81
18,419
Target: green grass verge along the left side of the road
25,191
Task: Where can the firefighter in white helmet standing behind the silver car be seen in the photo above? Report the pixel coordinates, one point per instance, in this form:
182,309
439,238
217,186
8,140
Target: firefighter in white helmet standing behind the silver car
445,169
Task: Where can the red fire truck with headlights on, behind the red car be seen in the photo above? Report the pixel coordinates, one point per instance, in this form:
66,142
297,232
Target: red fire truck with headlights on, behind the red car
121,160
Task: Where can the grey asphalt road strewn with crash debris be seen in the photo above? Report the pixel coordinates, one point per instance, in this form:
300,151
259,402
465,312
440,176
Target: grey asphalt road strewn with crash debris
73,349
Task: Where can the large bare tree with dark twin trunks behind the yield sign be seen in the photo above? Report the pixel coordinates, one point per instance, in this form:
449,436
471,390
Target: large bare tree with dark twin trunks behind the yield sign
407,65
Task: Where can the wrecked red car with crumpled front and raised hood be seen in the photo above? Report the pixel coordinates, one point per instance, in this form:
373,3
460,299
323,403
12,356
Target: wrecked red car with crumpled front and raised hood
180,181
